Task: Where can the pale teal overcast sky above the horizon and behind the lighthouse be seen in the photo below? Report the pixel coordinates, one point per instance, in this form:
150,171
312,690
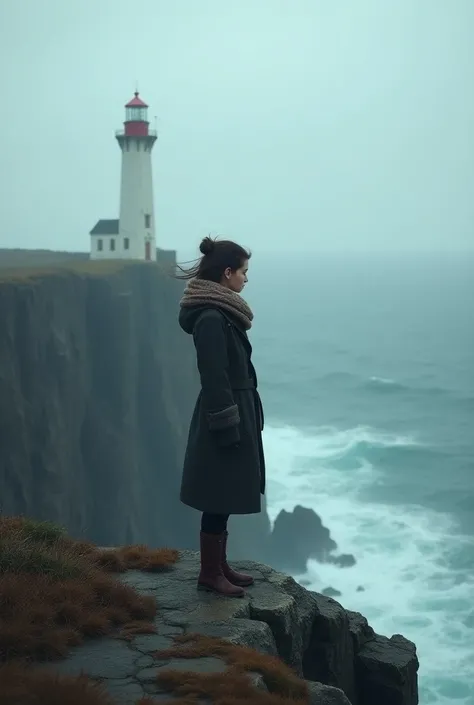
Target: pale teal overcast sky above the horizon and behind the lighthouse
285,124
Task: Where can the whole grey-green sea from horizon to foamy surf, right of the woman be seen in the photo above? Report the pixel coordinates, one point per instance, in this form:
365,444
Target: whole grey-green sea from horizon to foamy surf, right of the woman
366,372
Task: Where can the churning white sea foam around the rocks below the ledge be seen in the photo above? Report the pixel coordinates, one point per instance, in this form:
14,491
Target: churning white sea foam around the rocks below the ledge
402,552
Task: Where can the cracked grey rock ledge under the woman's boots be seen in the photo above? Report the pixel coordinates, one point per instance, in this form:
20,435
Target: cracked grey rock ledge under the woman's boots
345,662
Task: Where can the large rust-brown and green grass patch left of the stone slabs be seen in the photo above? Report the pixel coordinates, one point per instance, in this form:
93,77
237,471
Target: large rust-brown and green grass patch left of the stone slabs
55,591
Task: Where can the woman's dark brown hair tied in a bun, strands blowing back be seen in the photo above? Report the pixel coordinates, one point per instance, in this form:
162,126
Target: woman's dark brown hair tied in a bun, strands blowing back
217,255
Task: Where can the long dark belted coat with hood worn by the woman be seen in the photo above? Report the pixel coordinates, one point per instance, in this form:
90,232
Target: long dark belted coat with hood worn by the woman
224,467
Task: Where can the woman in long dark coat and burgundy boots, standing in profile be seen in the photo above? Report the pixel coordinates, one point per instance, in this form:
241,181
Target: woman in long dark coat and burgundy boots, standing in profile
224,467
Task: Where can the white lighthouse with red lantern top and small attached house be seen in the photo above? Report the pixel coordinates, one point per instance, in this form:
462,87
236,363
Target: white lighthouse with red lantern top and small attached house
132,236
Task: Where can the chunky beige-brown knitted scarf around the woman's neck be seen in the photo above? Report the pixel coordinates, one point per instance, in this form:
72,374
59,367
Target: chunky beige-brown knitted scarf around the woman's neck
200,292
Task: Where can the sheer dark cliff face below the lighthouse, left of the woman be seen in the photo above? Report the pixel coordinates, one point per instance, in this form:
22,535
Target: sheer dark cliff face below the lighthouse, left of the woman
97,384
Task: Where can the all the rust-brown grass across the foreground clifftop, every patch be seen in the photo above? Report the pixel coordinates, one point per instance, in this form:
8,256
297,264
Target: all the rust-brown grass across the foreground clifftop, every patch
55,591
